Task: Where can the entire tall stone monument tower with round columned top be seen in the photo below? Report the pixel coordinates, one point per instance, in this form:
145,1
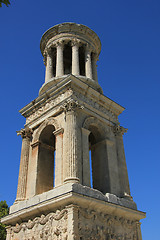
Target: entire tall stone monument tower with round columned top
63,193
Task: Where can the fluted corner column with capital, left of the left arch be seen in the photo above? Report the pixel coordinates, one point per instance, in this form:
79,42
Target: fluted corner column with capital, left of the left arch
23,171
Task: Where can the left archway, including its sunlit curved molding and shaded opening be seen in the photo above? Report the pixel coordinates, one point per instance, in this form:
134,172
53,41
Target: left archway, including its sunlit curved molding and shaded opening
44,148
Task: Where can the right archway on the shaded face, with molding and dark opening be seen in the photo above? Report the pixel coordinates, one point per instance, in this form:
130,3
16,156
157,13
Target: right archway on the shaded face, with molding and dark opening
97,137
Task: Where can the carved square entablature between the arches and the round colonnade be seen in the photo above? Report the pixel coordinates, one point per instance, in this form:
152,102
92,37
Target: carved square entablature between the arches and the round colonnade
50,102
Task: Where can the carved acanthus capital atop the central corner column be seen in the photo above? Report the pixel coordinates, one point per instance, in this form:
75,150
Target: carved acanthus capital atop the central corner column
71,106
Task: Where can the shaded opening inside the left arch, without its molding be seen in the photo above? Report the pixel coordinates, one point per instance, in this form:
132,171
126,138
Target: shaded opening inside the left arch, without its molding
46,160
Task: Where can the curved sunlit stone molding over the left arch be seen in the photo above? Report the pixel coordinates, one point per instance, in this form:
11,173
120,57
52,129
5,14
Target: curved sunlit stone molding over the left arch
48,121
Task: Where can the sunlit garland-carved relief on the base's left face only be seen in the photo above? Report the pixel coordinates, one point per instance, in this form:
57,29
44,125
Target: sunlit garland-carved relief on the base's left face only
51,226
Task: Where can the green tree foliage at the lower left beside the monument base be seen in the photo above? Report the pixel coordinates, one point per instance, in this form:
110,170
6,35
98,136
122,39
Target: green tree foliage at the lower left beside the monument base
4,210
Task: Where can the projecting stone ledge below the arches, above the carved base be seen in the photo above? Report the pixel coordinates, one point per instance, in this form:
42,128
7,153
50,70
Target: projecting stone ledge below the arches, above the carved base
72,194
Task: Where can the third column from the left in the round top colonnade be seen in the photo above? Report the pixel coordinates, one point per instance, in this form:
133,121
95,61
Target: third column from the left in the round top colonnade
75,57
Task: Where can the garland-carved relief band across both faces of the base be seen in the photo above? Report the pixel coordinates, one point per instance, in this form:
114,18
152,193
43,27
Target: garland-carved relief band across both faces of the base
92,225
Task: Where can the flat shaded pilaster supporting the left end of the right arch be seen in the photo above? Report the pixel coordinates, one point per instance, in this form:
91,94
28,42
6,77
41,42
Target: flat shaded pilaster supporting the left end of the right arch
85,156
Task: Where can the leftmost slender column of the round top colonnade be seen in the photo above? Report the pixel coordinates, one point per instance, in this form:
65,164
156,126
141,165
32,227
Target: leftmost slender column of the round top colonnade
49,66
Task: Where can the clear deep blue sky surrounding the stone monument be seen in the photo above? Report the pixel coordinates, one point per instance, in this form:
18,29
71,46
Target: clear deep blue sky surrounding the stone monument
128,72
